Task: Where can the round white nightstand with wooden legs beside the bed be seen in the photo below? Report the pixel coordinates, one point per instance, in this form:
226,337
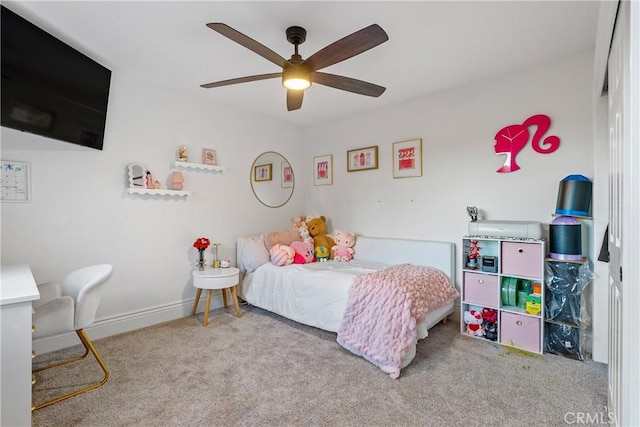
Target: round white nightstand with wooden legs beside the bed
216,278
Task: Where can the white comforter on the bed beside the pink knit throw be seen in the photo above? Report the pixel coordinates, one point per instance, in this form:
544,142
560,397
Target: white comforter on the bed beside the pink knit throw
314,294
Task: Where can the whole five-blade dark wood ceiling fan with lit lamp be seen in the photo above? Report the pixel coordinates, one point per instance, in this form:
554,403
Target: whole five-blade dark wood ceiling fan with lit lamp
298,73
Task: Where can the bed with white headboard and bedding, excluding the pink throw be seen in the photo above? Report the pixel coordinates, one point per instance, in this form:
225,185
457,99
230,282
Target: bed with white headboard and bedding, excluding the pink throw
317,294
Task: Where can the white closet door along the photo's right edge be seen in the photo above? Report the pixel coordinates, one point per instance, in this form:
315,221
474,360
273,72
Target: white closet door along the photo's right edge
624,231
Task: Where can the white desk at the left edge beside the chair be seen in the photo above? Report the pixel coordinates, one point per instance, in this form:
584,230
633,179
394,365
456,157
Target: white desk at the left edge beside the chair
17,291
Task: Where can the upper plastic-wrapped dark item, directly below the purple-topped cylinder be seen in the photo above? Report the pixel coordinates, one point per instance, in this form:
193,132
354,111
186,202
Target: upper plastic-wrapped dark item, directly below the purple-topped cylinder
564,299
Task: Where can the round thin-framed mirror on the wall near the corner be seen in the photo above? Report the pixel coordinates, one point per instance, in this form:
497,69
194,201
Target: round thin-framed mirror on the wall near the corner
272,180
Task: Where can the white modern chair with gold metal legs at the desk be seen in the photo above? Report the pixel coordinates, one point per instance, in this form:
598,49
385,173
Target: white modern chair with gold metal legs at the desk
71,307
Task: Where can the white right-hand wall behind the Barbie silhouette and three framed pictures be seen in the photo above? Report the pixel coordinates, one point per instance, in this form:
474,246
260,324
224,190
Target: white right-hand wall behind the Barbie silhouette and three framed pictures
457,128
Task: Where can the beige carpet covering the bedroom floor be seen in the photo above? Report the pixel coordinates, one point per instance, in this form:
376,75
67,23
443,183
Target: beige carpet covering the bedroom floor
263,370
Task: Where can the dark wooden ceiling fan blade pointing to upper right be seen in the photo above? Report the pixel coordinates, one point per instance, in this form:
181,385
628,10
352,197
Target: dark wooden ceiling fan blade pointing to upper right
347,47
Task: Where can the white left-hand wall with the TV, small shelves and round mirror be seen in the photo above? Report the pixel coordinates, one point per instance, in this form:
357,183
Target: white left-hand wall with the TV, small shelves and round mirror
80,213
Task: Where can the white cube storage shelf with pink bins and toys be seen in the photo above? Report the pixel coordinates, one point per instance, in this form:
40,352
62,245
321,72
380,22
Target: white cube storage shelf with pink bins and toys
505,288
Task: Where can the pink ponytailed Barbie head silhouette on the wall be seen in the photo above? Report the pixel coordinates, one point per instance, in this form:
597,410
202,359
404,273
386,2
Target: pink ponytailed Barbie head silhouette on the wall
512,139
